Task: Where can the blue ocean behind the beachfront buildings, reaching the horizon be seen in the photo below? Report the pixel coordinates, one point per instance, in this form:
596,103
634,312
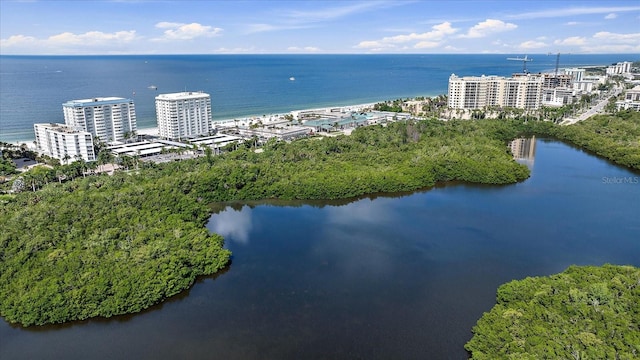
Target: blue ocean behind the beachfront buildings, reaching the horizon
33,88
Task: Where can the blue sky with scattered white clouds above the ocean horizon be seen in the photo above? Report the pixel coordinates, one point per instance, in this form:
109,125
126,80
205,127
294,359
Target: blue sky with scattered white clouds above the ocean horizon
317,27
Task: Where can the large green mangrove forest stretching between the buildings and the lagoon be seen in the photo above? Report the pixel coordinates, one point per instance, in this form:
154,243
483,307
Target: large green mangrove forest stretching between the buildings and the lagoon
107,245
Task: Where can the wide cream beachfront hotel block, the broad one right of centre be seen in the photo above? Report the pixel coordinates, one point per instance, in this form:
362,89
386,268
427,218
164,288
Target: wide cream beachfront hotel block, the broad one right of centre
522,91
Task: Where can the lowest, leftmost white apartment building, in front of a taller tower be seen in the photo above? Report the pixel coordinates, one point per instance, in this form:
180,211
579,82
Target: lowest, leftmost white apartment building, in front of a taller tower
63,142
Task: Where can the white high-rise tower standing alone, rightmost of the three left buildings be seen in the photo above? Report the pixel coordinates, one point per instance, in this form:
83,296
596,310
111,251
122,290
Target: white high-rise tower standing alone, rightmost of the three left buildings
183,115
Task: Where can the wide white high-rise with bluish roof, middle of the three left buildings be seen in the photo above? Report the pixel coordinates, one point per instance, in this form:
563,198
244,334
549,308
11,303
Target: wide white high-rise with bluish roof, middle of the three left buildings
106,118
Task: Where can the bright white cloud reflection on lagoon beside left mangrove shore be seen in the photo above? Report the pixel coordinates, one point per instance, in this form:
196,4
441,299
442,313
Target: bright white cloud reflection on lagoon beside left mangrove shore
232,224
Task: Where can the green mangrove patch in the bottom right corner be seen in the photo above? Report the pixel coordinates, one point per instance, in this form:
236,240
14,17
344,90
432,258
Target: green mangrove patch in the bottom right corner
582,313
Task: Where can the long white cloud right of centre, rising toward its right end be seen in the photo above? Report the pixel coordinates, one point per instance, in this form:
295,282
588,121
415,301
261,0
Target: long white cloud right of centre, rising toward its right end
428,39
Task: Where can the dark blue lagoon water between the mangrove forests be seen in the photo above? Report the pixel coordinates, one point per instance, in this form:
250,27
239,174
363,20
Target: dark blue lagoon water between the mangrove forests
387,277
